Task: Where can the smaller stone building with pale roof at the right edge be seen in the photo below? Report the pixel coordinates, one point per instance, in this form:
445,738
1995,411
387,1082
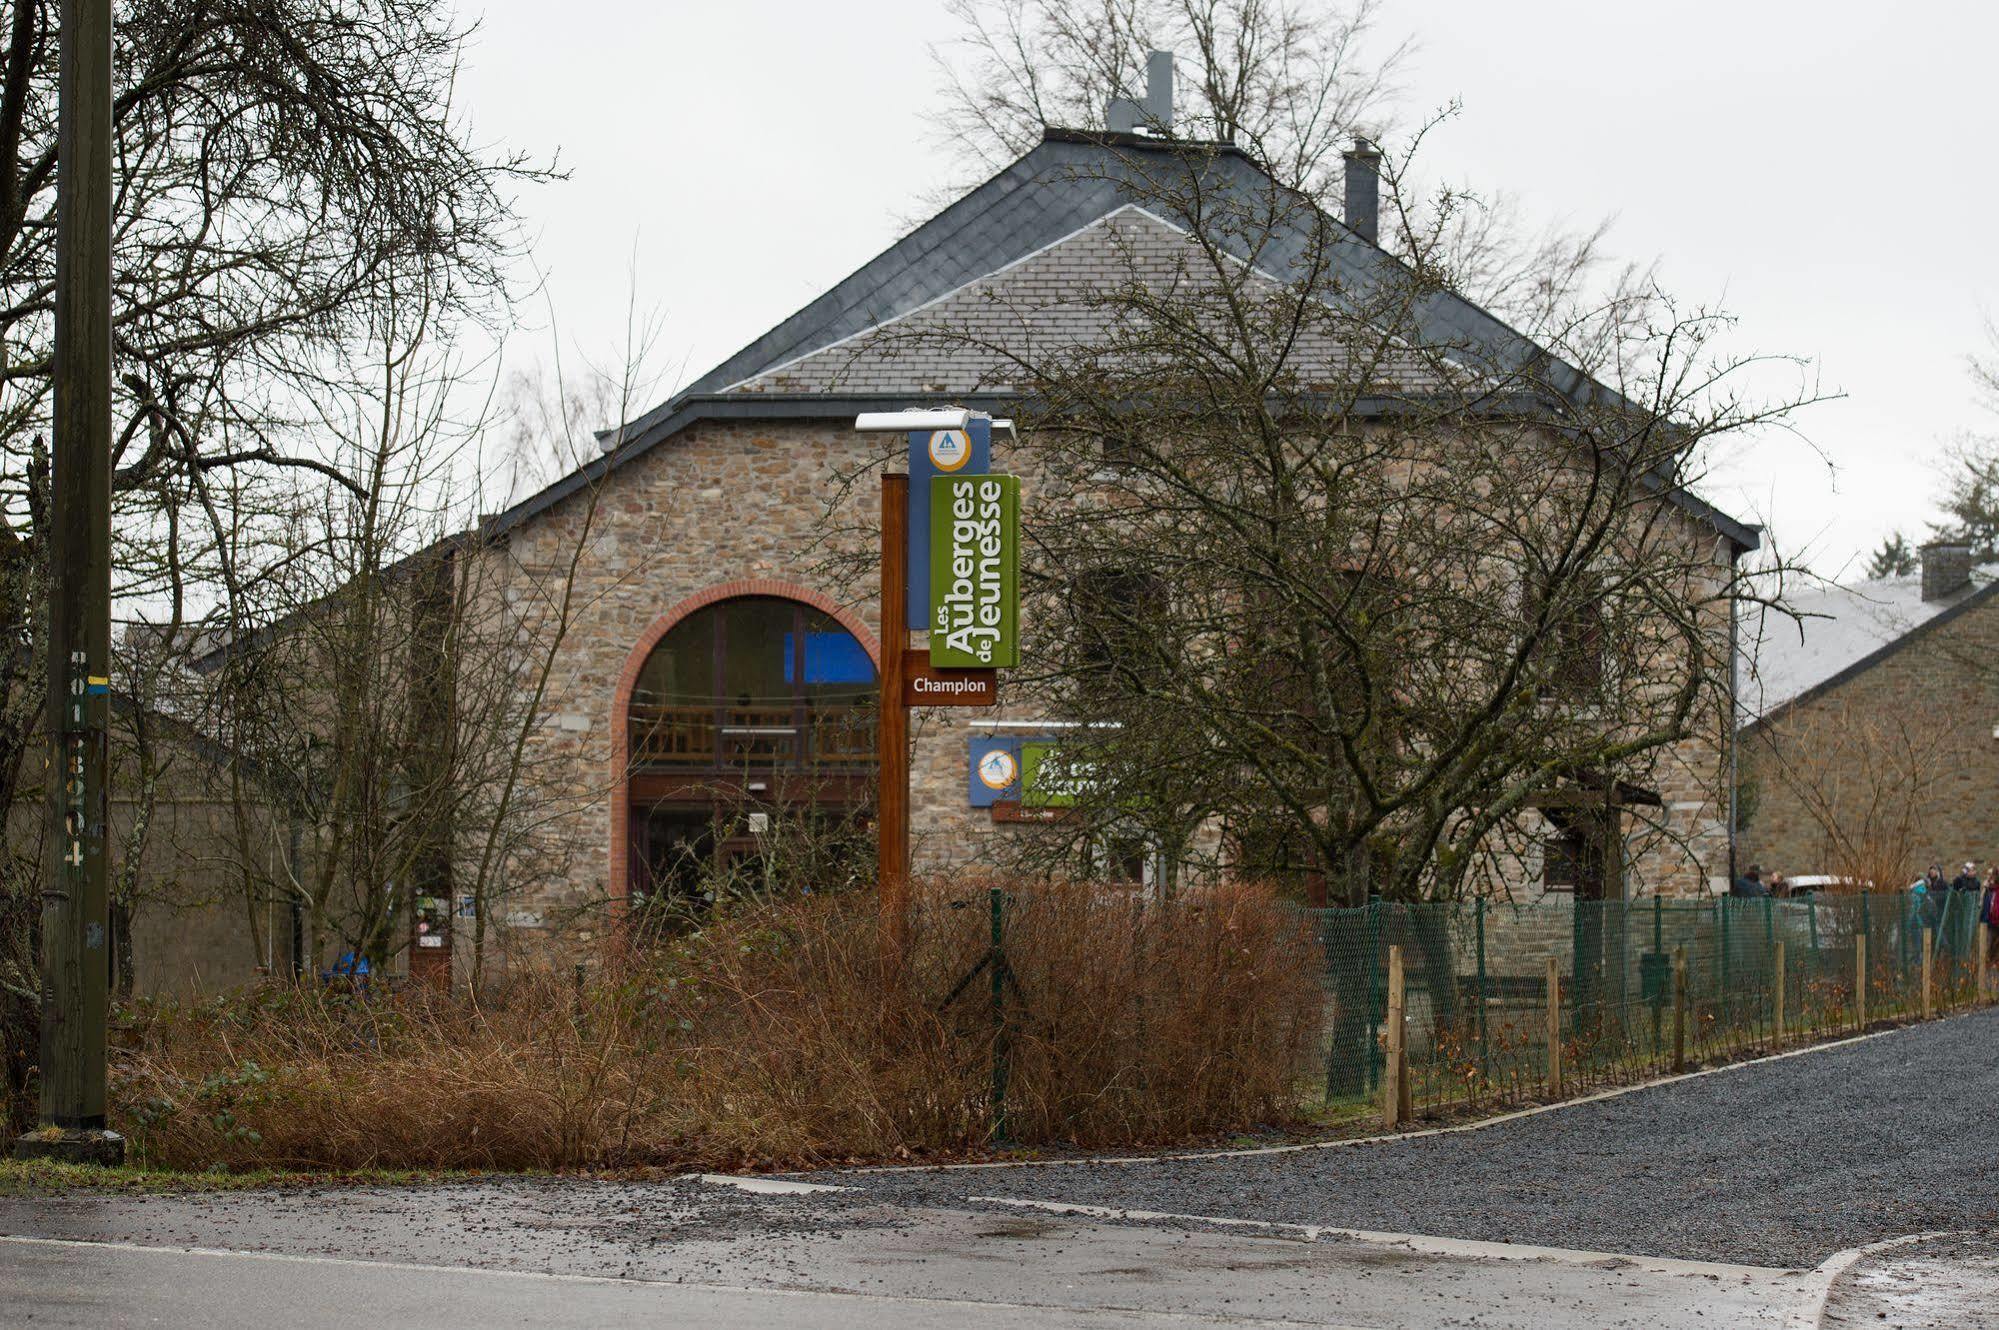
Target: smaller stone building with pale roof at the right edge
1870,741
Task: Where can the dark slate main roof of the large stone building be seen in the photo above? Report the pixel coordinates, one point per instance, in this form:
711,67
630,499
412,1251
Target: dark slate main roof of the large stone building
1062,187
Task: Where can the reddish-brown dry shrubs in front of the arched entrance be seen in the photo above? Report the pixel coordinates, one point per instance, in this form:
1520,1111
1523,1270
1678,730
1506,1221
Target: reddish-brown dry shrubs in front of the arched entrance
771,1039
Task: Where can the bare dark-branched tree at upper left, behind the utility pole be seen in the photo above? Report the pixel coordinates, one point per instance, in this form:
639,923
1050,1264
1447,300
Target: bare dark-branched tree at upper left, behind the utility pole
281,169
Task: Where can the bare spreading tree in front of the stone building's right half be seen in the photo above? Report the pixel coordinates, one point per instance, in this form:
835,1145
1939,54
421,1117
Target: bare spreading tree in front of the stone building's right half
1350,579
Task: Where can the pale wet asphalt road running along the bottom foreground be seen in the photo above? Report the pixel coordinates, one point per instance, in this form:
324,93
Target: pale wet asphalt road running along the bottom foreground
891,1271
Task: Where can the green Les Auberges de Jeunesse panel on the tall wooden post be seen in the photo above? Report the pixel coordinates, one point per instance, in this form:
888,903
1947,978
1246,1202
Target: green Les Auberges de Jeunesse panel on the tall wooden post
975,573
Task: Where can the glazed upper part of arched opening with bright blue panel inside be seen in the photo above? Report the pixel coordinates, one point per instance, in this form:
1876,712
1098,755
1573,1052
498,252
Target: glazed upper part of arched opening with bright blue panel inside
757,681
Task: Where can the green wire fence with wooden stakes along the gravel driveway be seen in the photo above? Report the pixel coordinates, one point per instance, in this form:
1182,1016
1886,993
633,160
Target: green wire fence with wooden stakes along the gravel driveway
1478,985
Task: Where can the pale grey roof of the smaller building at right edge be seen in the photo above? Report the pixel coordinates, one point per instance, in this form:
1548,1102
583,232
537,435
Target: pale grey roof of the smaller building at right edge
1842,633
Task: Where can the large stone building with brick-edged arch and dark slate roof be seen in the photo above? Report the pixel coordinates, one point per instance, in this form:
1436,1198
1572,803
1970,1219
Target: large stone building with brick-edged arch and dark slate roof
715,655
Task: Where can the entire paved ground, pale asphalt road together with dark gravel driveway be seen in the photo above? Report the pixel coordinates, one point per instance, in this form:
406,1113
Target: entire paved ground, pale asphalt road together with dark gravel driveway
1700,1203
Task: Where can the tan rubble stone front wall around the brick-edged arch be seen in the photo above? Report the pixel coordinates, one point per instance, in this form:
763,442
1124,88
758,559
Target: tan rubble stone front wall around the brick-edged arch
791,509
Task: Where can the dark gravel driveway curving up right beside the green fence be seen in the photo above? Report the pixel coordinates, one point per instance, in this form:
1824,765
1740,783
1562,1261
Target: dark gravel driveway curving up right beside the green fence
1776,1165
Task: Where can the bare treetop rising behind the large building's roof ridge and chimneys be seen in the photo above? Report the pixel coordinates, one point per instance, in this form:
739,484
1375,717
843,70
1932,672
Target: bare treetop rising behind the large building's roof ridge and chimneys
1292,83
